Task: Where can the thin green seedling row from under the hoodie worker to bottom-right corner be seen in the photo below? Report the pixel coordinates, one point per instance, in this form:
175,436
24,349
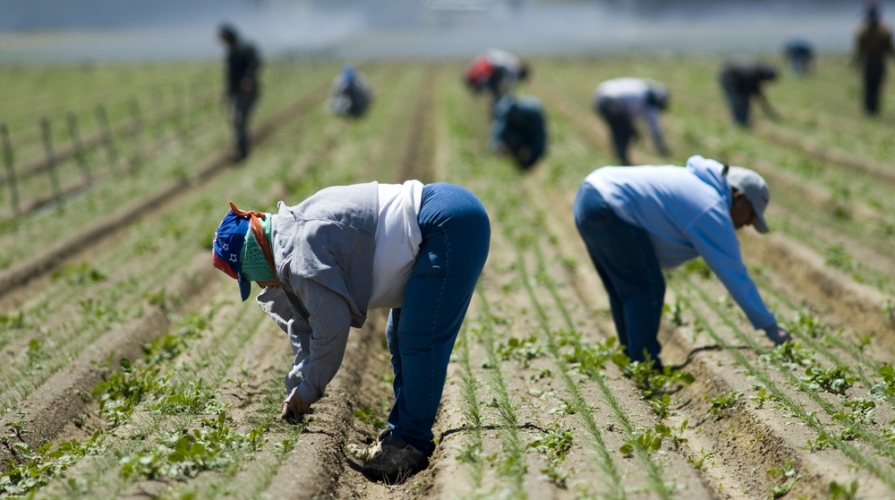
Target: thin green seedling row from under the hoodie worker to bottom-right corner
795,408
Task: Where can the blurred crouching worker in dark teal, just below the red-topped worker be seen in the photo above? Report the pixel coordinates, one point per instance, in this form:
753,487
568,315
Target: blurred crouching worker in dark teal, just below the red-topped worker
519,129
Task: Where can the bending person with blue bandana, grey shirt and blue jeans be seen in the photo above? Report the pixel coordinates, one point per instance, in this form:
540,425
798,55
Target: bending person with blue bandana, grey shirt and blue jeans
415,249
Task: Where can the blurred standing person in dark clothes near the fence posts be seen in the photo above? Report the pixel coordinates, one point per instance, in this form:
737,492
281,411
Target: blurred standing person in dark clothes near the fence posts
240,84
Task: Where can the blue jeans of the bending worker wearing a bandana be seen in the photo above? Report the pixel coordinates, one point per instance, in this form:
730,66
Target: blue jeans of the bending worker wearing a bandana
421,333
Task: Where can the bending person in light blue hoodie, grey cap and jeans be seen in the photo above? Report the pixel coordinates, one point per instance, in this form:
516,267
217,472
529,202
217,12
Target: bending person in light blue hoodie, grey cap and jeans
635,221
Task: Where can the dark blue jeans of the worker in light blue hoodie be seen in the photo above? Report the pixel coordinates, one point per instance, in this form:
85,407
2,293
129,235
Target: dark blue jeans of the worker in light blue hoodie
626,261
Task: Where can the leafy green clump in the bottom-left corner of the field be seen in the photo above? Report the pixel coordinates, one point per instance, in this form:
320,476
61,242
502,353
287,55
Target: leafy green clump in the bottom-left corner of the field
37,468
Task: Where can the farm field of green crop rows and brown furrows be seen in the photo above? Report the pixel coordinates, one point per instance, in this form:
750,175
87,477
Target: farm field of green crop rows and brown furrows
131,370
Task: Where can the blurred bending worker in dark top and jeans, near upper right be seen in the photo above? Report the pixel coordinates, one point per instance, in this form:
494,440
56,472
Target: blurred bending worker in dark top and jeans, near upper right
742,80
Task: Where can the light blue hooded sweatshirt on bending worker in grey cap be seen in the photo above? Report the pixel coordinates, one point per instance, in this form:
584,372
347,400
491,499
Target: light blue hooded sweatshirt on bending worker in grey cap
686,212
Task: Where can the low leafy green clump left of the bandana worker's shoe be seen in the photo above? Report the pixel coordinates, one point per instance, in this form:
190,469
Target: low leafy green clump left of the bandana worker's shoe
183,454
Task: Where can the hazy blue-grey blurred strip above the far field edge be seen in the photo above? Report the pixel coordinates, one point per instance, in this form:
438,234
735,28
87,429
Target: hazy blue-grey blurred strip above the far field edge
86,30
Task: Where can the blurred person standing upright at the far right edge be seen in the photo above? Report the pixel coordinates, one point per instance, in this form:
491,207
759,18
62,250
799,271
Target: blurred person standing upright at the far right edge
873,46
